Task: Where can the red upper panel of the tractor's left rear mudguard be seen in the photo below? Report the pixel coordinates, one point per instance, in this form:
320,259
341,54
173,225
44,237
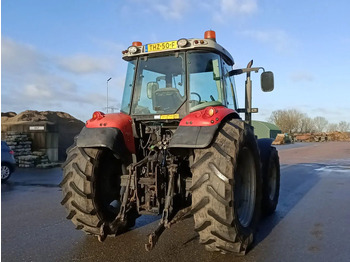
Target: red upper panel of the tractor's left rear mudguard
117,120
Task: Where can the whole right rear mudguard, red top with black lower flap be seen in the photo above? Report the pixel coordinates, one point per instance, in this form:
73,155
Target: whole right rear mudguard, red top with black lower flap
197,129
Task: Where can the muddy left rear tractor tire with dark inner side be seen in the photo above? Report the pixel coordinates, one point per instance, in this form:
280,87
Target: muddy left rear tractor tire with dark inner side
90,183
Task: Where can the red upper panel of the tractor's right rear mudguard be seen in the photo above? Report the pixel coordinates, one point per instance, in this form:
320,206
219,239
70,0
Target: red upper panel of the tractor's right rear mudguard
206,117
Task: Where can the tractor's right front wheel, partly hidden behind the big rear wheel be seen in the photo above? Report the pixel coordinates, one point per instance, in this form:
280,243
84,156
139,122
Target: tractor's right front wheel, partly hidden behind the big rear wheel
271,182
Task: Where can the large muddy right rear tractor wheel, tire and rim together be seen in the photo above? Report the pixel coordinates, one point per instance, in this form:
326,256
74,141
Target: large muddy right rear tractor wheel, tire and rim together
222,219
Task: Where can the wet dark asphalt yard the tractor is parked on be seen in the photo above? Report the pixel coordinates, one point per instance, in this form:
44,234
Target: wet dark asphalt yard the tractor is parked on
311,222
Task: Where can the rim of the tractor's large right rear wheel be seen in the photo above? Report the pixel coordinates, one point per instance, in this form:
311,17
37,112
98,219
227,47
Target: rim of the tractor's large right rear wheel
245,187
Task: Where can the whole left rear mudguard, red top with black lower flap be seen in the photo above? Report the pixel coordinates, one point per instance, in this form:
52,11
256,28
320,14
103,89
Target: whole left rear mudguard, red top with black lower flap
113,131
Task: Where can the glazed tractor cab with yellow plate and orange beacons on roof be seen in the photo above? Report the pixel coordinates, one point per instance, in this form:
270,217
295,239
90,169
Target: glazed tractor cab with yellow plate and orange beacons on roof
169,80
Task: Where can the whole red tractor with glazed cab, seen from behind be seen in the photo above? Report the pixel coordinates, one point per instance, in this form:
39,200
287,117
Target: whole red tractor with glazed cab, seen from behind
178,148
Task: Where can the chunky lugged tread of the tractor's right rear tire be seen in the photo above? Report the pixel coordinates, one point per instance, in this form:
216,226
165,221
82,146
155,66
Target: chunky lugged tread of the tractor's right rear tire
213,180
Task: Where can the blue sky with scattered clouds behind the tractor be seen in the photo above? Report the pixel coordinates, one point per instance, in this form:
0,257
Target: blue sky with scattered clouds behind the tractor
58,55
